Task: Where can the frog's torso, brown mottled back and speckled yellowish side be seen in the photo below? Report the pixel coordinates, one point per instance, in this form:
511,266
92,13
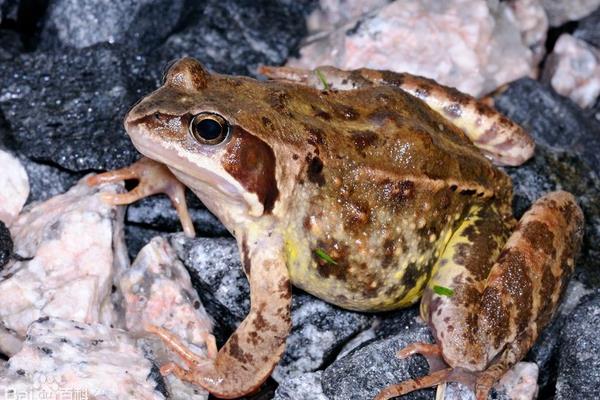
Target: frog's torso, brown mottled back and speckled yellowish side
383,186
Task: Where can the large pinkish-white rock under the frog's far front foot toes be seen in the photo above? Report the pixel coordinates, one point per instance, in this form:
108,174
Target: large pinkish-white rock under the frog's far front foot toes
75,241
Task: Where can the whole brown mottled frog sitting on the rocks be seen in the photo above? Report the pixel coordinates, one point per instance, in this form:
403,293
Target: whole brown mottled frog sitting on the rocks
371,190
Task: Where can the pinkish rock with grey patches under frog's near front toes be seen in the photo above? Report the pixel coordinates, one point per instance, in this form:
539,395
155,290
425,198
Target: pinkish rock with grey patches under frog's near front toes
157,290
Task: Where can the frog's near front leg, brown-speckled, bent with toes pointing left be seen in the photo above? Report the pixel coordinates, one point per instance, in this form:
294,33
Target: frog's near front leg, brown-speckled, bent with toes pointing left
255,348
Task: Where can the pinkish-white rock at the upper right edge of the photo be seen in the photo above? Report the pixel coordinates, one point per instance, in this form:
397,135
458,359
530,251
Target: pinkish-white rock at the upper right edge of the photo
573,70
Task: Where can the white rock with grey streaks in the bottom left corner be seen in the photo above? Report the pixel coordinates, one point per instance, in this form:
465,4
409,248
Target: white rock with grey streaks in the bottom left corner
71,360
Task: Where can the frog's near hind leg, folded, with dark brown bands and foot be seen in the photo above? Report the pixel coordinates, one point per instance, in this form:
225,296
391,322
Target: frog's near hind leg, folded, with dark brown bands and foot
486,317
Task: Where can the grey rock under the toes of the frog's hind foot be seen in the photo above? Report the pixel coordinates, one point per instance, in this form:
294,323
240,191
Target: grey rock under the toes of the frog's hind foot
366,370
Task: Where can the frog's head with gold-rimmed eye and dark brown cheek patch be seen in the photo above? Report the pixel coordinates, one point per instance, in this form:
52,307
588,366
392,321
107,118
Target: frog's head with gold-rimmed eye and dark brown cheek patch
202,127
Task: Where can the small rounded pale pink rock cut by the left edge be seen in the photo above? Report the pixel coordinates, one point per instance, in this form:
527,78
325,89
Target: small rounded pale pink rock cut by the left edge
14,187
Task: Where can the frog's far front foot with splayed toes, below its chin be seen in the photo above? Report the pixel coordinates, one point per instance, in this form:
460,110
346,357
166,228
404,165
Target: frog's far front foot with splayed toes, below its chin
153,178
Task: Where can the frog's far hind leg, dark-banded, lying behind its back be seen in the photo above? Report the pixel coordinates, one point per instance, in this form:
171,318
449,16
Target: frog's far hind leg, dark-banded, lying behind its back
499,138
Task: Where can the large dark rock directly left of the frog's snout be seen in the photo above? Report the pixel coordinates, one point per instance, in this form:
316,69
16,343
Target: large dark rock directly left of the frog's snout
80,98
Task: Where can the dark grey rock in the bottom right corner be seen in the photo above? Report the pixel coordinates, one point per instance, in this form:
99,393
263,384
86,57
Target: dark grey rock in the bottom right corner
579,365
